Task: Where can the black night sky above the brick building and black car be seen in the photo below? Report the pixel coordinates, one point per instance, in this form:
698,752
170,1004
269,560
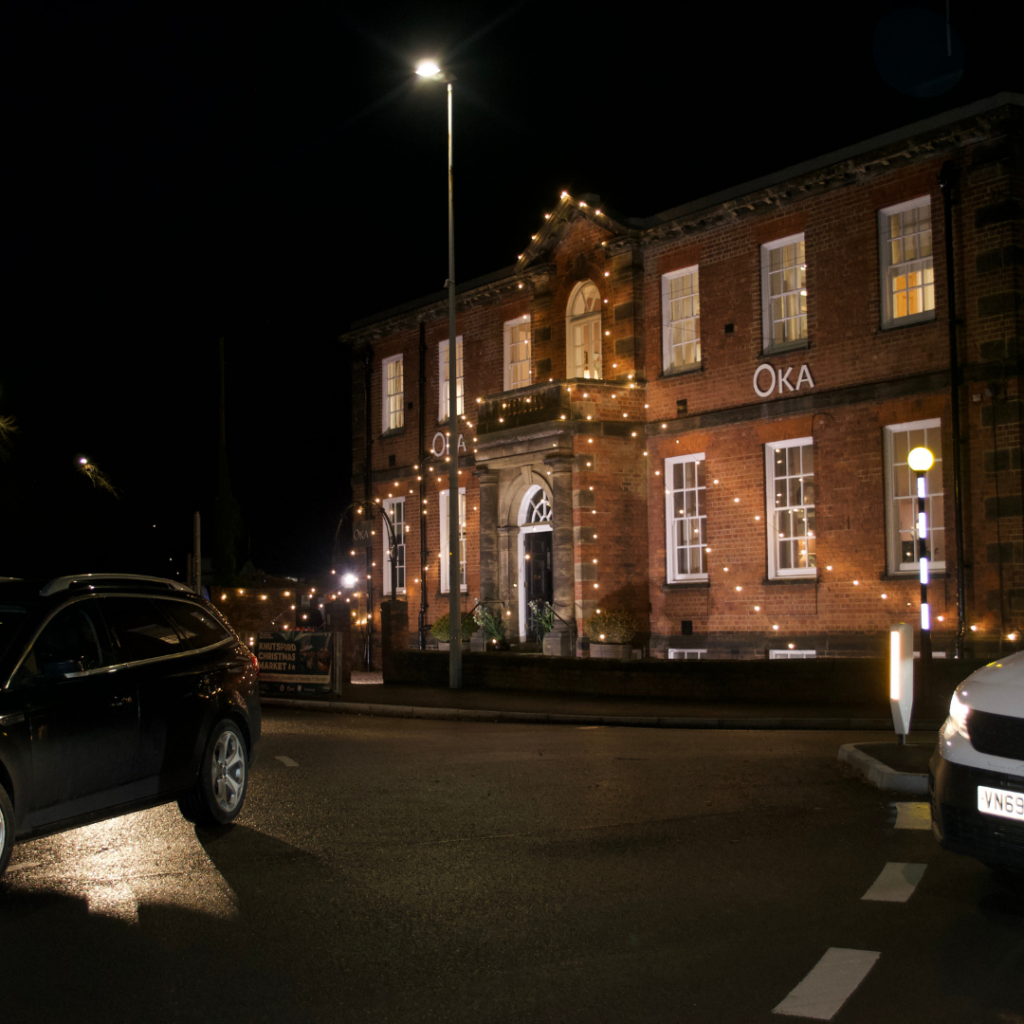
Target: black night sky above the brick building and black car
179,174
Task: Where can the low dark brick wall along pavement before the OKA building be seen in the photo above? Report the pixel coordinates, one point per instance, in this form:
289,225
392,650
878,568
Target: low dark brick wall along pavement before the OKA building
813,681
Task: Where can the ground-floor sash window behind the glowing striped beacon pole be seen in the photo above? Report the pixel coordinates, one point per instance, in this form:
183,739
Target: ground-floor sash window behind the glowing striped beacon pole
902,497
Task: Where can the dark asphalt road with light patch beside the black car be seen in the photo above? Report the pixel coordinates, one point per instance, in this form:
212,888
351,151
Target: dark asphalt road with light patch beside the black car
404,871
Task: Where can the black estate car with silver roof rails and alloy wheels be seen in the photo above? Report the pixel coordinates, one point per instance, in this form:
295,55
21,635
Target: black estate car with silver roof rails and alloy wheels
119,693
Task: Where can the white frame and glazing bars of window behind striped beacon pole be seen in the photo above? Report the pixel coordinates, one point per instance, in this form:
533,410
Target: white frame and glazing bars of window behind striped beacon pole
894,562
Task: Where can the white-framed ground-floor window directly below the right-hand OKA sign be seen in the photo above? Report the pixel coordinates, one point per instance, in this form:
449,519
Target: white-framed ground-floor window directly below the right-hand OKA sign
792,537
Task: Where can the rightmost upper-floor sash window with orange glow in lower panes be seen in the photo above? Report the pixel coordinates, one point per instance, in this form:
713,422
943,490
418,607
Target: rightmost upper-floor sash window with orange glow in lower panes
908,276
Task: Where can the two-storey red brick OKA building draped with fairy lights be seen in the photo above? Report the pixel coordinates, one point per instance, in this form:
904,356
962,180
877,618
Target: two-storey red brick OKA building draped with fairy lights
704,416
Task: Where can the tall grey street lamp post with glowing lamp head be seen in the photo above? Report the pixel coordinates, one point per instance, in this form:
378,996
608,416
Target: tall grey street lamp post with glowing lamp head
431,70
